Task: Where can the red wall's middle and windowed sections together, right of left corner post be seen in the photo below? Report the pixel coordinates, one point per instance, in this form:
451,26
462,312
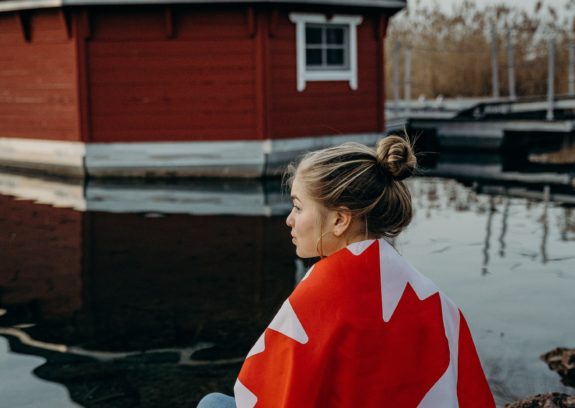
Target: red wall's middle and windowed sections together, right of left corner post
218,73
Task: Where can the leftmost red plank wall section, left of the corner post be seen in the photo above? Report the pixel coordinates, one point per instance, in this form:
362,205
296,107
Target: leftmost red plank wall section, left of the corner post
38,90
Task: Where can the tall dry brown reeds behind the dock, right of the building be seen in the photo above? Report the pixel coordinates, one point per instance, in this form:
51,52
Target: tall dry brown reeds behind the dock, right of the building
451,52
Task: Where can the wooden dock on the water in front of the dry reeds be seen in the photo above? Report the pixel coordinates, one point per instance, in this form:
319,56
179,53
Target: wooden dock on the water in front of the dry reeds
487,124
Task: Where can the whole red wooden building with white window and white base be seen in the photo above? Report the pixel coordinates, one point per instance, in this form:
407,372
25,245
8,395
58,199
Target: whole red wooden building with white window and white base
187,87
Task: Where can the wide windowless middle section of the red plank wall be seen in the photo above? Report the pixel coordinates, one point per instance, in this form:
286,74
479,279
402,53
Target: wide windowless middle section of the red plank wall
193,80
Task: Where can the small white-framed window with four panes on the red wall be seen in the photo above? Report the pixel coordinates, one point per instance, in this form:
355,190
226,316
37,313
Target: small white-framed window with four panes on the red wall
326,48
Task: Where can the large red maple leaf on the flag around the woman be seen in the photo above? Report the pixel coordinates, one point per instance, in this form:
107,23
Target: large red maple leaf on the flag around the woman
330,346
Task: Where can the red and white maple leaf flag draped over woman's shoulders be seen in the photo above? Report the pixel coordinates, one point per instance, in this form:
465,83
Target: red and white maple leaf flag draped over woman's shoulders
364,329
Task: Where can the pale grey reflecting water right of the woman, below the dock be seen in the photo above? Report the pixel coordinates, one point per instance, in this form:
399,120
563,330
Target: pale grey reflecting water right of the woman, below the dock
521,305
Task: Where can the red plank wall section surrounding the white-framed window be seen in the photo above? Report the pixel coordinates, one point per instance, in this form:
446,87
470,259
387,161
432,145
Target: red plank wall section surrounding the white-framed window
323,108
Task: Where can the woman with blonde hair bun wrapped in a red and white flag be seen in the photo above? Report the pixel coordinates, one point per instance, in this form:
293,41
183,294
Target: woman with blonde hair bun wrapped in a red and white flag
363,328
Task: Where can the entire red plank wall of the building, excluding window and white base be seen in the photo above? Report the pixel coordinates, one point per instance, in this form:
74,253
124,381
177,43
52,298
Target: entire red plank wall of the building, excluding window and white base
176,73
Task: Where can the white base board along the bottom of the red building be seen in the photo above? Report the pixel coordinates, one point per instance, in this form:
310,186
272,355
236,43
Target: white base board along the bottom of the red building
244,159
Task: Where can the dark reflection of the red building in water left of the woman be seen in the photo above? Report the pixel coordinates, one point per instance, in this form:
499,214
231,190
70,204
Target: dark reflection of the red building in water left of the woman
100,293
